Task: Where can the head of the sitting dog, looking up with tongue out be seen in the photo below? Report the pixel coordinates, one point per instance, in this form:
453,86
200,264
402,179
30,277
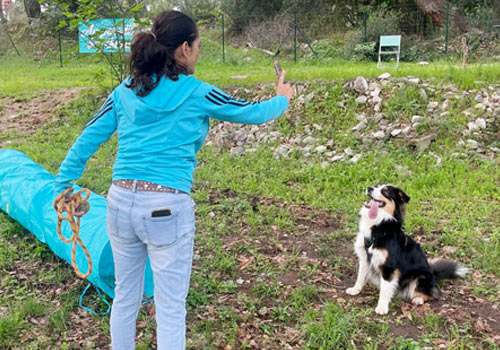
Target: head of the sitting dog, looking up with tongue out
386,203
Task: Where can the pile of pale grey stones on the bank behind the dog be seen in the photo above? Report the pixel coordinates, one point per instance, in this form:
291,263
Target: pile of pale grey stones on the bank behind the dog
484,114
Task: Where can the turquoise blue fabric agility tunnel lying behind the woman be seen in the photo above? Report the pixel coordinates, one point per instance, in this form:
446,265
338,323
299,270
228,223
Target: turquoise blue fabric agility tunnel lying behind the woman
26,195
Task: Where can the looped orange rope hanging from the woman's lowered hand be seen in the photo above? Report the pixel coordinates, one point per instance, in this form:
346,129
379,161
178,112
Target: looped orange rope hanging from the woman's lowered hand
61,206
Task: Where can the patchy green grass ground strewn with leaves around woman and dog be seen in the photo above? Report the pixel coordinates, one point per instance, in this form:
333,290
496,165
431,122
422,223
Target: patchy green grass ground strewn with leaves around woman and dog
292,219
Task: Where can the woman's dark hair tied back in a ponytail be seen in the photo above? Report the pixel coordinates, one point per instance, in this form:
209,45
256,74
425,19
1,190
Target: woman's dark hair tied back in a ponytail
152,53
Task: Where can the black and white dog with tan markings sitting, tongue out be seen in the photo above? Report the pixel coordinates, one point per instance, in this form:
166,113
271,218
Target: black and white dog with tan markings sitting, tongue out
389,258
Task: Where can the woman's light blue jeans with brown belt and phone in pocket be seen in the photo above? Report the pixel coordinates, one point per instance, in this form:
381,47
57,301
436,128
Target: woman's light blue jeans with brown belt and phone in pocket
167,237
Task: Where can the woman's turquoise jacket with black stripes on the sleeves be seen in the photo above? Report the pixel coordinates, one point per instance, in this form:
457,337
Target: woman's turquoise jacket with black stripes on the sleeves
159,134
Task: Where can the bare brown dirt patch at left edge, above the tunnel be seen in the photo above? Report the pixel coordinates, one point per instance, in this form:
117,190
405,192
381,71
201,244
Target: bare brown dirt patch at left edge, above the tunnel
27,116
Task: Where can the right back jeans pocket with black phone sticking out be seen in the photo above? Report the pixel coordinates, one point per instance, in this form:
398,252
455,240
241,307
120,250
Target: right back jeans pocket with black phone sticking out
161,231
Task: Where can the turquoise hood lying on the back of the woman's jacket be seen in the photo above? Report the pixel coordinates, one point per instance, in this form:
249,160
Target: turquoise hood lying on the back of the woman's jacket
165,98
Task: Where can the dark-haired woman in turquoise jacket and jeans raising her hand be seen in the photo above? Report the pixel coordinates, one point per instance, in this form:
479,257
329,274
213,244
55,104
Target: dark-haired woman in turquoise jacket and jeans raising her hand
161,114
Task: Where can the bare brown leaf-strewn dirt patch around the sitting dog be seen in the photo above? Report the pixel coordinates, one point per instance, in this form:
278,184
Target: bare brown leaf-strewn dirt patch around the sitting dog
302,259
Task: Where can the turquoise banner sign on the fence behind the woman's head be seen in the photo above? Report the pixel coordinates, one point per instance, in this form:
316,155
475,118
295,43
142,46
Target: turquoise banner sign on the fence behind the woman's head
105,35
